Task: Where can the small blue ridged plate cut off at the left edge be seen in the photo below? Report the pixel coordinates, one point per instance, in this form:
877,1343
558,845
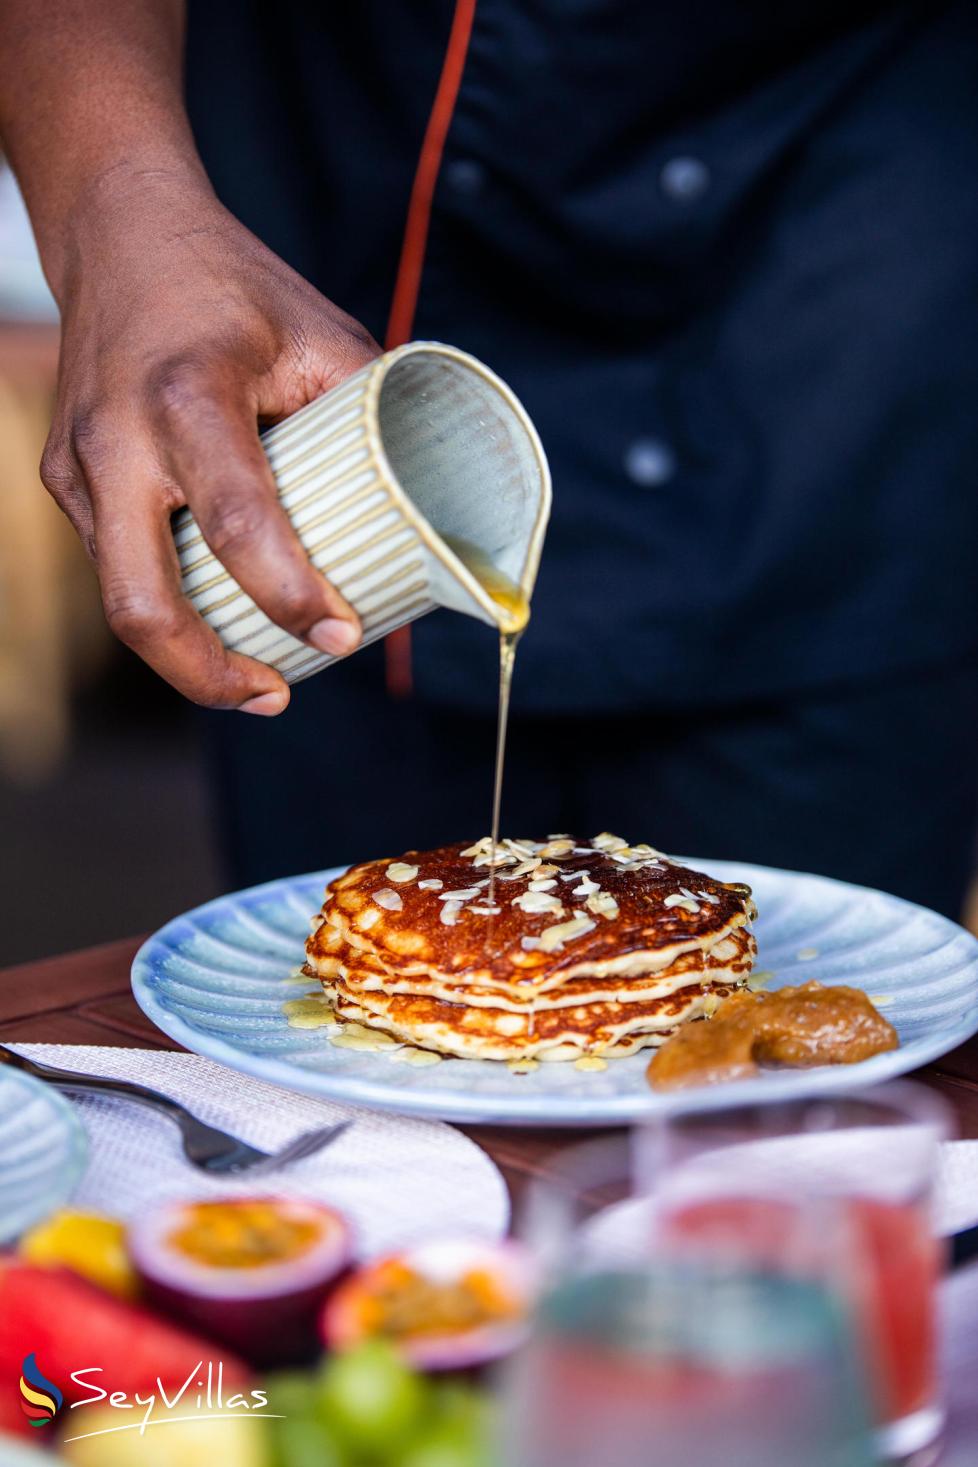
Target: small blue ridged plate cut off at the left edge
43,1152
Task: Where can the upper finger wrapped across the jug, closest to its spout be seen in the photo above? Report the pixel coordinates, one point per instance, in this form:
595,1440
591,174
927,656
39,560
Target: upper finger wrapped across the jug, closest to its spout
212,445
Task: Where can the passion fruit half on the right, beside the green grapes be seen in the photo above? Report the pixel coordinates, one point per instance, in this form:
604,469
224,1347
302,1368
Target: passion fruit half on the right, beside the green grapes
445,1305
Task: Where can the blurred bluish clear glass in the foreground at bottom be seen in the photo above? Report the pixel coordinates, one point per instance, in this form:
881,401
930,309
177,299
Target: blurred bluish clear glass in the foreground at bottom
650,1365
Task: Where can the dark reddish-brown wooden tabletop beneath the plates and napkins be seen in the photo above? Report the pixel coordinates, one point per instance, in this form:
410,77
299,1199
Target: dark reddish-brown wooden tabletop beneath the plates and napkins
84,998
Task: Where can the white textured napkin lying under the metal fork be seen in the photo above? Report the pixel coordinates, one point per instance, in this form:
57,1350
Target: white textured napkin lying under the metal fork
395,1179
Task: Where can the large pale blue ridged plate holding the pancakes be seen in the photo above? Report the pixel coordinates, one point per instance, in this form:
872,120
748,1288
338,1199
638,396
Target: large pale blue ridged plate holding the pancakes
216,981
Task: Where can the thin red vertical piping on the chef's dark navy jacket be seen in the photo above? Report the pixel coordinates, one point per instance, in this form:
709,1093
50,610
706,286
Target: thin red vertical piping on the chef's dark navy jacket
413,256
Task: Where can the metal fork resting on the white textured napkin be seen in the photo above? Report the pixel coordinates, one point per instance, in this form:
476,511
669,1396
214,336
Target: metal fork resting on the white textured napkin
207,1148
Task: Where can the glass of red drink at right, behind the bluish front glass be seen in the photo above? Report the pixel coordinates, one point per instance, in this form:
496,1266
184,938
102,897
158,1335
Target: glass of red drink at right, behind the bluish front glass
839,1189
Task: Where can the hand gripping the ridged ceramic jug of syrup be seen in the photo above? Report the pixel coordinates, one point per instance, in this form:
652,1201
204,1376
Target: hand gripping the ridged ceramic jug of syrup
181,334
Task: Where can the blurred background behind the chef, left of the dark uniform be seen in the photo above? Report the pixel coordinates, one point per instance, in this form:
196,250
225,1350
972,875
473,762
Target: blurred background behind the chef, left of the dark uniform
96,753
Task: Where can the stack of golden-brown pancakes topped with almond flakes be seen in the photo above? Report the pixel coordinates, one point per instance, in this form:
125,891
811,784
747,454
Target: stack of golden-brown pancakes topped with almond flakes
583,950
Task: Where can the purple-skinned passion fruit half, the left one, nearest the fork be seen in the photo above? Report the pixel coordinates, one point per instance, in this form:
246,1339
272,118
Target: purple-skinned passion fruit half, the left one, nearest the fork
251,1273
